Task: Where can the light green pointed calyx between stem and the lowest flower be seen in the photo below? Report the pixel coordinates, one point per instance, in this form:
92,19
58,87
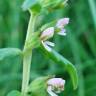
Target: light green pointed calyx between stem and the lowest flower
38,87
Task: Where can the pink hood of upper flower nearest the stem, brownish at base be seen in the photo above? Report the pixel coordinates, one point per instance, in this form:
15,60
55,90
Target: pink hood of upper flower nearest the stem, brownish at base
47,33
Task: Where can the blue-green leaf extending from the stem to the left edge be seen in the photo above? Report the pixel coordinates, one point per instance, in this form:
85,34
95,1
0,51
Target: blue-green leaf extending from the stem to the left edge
9,52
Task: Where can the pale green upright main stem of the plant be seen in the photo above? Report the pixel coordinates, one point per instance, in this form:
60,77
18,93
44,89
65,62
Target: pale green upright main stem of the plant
27,56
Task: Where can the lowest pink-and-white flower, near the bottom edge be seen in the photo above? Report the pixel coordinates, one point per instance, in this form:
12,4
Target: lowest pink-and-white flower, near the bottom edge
55,85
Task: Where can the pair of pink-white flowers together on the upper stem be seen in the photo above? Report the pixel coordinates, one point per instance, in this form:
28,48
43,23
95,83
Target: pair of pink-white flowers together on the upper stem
49,33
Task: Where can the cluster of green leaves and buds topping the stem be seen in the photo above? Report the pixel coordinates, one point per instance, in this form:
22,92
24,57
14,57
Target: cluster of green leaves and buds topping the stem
41,5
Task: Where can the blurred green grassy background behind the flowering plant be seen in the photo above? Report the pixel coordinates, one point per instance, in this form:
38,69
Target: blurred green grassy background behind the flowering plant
79,46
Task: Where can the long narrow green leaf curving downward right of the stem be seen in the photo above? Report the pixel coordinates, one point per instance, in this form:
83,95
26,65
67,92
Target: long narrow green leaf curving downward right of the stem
59,59
